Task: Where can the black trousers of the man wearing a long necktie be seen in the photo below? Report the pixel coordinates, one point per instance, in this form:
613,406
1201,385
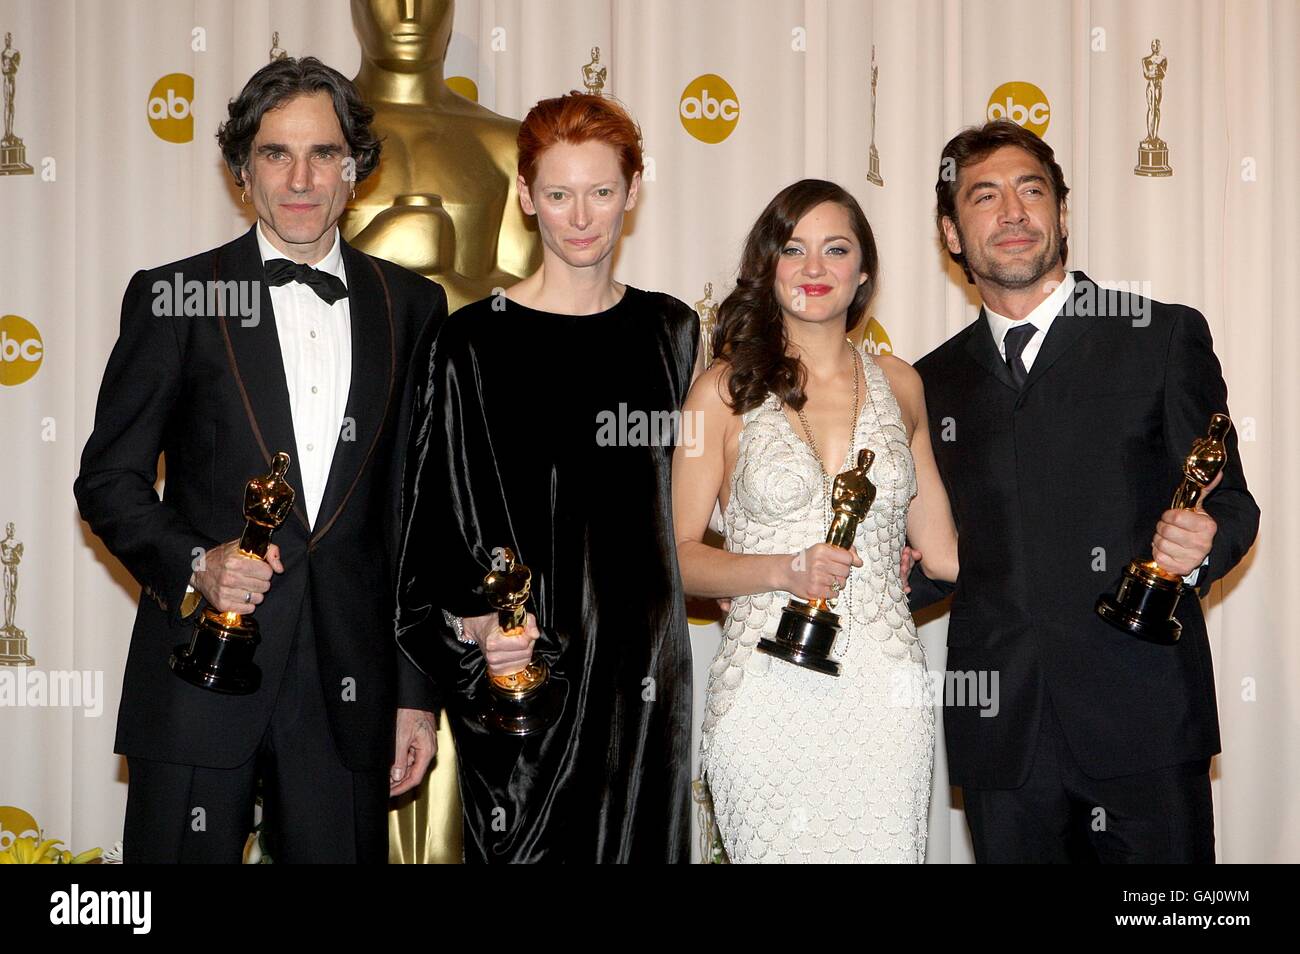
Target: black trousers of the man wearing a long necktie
1061,816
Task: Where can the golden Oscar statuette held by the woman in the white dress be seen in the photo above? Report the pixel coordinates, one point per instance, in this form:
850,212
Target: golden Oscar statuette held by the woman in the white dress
807,632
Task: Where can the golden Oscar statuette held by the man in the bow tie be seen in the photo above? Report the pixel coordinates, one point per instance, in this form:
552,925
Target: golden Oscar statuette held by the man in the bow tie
220,653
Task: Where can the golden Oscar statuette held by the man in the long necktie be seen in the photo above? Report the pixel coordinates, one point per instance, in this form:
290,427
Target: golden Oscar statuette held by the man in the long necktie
1145,604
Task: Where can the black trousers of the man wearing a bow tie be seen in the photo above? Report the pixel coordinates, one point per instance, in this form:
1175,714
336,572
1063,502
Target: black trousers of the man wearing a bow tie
317,810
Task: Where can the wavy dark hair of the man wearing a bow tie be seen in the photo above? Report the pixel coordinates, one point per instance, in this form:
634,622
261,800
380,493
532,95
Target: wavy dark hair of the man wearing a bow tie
281,81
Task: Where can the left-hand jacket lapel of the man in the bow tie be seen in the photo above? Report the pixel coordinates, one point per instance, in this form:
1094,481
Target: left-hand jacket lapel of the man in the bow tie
253,350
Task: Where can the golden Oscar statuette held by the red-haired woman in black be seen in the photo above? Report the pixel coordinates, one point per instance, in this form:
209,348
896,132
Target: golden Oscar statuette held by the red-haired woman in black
522,703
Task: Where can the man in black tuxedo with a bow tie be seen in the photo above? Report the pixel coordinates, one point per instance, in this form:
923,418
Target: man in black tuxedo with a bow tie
285,340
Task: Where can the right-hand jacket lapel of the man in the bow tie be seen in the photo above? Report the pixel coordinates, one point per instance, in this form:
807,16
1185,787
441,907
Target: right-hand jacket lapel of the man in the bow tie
371,391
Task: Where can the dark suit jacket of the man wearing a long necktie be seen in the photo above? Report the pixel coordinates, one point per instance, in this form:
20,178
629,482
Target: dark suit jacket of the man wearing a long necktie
1055,488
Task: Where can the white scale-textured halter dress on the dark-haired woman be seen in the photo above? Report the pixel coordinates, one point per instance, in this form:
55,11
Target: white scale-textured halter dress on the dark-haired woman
803,766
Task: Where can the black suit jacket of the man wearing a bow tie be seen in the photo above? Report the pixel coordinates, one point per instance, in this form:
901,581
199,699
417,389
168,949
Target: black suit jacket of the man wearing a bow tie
210,394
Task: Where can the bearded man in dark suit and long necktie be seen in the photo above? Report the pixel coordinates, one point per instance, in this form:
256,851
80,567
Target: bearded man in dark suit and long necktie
1060,420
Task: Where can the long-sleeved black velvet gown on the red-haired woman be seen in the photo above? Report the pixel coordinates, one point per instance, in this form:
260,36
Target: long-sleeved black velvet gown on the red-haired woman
552,435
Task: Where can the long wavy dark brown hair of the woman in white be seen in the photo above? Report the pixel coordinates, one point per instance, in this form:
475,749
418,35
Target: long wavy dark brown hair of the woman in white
751,333
